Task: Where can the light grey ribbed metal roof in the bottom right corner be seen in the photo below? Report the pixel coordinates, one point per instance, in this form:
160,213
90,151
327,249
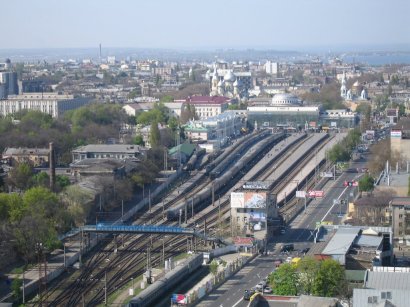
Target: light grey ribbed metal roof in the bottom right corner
387,280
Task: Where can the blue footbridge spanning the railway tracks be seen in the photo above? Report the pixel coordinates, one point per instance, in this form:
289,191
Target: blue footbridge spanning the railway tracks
147,229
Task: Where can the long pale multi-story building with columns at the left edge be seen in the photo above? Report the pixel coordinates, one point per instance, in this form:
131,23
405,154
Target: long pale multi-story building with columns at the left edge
50,103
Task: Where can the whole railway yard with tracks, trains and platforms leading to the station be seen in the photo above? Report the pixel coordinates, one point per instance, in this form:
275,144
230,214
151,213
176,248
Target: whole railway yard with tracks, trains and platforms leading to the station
285,163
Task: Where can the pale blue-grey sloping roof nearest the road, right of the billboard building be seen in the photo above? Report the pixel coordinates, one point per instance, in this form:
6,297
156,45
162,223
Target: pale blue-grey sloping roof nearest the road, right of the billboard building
341,242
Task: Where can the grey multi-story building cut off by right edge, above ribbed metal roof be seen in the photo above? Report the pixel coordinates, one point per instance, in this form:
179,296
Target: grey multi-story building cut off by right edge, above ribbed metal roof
400,212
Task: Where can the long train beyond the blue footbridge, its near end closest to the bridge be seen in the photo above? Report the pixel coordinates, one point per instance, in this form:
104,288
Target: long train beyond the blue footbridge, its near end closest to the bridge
200,200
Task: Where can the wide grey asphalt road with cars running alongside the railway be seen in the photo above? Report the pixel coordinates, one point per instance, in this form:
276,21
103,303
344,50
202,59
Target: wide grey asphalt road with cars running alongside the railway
300,232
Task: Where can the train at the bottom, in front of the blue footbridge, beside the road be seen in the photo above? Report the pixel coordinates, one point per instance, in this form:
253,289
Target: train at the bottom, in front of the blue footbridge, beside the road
162,286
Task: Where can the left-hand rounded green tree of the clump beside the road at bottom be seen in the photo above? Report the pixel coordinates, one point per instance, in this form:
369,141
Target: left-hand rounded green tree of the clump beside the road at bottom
285,280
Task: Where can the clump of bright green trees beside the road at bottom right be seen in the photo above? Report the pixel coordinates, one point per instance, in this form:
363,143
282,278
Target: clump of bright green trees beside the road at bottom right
311,277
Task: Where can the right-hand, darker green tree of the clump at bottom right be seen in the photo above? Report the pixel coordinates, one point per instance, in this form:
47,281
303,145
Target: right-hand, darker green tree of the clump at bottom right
329,279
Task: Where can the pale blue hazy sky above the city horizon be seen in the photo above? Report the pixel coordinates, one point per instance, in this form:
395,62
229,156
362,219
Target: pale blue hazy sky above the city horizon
198,24
